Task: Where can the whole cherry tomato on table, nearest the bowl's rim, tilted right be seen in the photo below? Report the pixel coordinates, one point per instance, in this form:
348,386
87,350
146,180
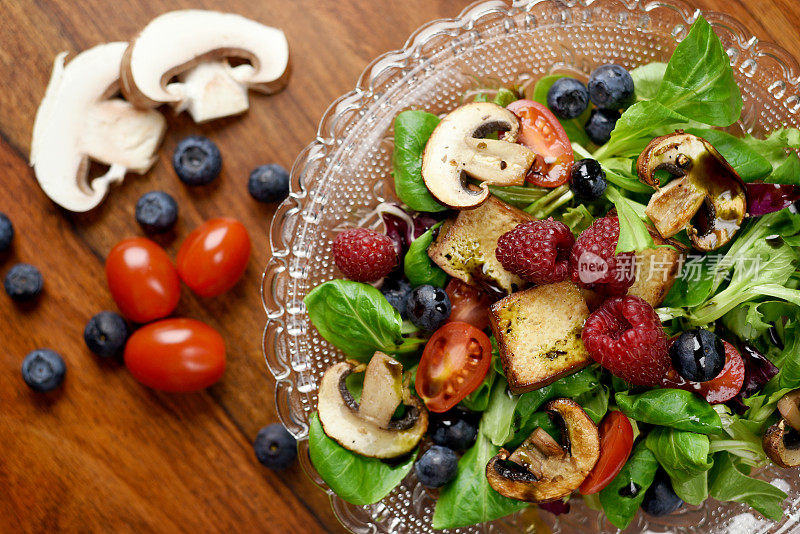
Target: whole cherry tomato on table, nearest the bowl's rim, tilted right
214,256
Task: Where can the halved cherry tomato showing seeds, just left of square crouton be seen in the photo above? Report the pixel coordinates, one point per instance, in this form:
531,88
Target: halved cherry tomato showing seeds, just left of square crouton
453,364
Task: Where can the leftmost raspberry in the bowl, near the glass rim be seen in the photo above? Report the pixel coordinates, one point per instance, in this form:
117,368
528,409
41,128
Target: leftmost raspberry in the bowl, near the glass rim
364,255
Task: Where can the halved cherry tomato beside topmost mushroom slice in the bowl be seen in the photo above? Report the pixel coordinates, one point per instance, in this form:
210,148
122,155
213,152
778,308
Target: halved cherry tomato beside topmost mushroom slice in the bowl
541,132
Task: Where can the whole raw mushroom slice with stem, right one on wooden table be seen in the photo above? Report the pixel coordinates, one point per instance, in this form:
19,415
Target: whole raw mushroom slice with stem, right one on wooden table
195,45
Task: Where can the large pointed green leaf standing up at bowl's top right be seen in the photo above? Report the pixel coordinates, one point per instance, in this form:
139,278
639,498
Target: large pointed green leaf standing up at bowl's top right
699,82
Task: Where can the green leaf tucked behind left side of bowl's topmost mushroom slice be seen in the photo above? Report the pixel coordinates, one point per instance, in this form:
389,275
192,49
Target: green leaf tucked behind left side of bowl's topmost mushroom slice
412,129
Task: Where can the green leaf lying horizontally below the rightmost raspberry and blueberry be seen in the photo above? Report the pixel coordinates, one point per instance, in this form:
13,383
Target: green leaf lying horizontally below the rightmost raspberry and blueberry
674,408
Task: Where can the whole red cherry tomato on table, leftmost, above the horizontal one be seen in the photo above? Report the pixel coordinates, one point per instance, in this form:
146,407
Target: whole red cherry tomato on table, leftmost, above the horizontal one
142,280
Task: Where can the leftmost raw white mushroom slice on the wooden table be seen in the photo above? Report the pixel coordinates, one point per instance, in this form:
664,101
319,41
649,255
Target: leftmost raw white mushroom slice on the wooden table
78,121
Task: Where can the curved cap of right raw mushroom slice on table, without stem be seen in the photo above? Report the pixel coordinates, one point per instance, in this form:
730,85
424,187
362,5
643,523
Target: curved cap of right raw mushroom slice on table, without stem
175,42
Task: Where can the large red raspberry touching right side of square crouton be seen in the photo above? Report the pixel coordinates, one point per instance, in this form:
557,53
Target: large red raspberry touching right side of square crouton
624,335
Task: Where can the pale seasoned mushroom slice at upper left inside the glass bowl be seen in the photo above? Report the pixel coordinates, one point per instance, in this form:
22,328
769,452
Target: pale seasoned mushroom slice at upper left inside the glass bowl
457,149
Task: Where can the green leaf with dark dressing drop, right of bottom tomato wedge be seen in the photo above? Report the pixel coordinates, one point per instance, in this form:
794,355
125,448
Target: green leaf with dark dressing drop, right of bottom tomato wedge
619,503
